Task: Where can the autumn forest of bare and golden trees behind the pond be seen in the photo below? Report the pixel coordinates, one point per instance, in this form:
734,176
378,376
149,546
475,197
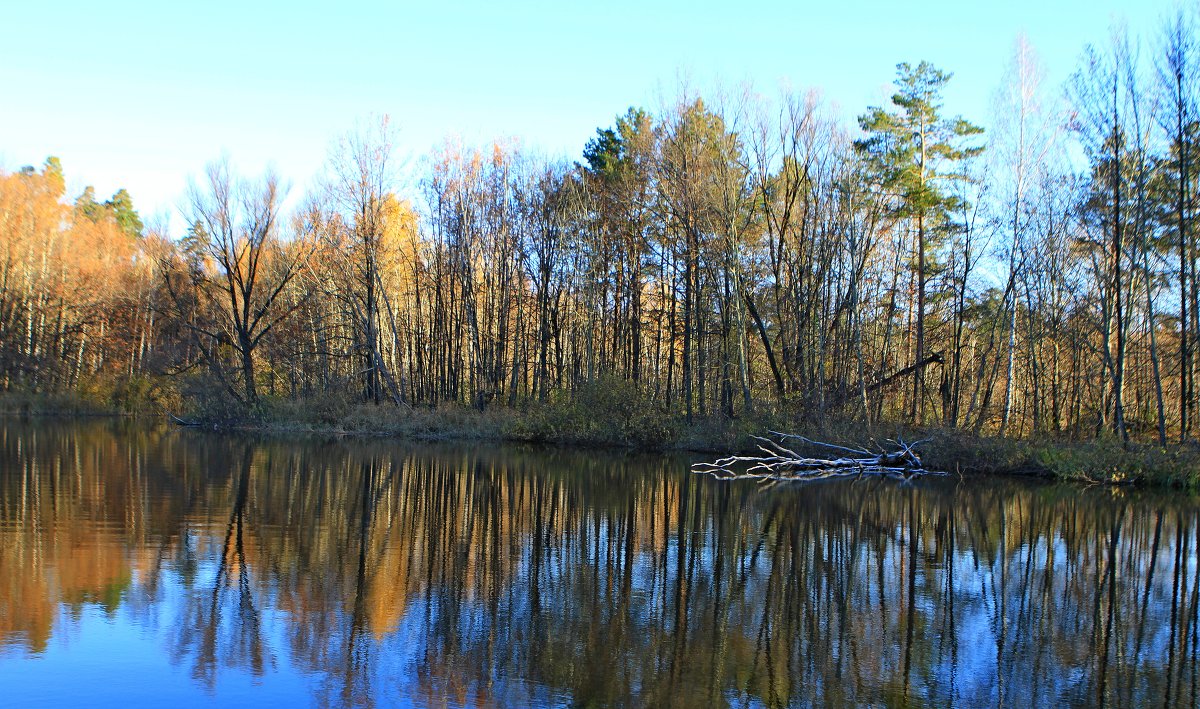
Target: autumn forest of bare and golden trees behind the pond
717,259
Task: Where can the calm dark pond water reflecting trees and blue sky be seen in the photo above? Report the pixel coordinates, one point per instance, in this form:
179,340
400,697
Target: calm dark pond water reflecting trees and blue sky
169,568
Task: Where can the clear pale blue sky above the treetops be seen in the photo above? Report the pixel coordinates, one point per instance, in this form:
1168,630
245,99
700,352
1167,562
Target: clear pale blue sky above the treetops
142,95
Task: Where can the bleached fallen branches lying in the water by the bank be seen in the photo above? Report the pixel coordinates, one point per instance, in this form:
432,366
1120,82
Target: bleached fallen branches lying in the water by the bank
782,464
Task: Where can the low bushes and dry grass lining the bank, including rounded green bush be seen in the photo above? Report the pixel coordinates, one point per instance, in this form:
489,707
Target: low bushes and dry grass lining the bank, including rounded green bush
615,414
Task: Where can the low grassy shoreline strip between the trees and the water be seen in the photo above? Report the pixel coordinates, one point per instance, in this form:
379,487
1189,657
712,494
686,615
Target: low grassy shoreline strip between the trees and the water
1102,461
